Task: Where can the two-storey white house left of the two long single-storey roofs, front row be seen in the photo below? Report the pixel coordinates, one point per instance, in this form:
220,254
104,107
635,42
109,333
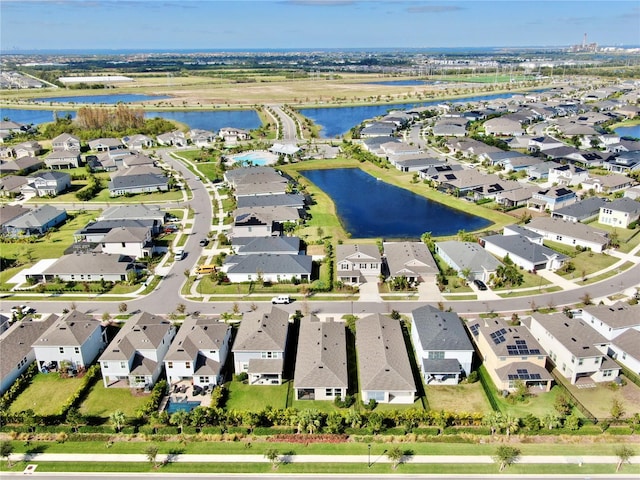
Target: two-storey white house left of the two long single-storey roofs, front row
259,346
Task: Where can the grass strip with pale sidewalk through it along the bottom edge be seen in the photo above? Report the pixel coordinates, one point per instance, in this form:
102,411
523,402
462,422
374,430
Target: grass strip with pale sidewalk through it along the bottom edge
356,455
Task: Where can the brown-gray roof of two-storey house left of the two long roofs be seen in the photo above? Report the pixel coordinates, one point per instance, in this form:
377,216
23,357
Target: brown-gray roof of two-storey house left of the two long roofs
261,333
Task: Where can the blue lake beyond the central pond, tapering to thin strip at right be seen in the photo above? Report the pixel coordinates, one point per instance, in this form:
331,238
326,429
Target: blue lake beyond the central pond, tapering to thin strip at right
336,121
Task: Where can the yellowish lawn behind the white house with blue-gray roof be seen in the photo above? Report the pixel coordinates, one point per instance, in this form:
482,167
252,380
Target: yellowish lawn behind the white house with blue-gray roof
466,397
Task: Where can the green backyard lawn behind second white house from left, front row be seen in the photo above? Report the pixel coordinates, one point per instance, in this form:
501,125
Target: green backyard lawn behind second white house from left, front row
101,401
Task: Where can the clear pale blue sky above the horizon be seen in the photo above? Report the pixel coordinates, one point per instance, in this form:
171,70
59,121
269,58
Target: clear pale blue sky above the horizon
304,24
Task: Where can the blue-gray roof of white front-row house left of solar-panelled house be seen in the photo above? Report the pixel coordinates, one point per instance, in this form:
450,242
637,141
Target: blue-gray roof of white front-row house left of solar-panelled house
439,330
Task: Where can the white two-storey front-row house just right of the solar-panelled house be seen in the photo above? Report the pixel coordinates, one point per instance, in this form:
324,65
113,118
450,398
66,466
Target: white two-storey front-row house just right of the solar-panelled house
577,350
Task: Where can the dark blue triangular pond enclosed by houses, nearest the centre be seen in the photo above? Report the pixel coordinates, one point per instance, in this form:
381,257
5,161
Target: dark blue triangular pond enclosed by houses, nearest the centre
369,208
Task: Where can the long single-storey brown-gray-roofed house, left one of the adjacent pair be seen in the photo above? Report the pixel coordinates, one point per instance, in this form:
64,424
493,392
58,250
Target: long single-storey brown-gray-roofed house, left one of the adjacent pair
321,371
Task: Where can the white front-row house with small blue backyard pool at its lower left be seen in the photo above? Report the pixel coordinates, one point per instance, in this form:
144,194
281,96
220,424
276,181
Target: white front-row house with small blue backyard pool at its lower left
199,352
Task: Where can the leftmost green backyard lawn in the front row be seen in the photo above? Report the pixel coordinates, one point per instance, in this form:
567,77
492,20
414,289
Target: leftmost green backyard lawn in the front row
46,394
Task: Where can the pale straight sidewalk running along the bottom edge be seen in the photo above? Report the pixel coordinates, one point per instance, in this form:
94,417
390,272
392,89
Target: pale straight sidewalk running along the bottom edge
377,458
